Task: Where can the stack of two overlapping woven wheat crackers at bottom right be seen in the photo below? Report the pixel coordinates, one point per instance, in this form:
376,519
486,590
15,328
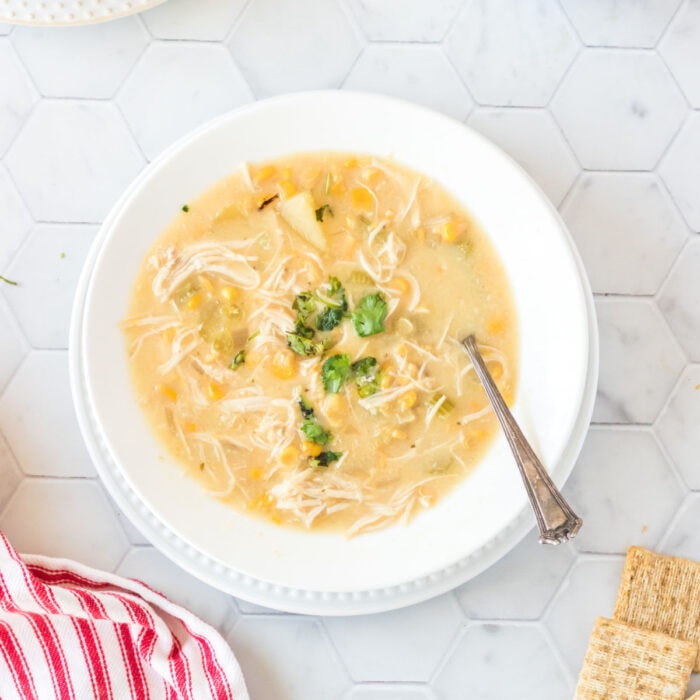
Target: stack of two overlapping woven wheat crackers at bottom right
649,650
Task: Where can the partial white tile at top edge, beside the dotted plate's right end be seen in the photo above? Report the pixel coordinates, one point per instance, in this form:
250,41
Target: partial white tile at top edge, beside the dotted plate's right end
200,20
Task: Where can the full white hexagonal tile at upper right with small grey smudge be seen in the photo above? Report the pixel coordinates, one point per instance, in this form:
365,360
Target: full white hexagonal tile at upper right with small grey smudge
619,109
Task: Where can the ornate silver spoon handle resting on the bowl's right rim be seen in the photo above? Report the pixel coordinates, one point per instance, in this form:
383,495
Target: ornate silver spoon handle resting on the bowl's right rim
556,520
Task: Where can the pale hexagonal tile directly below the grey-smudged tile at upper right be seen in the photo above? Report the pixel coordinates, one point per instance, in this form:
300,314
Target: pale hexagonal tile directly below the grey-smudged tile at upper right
627,230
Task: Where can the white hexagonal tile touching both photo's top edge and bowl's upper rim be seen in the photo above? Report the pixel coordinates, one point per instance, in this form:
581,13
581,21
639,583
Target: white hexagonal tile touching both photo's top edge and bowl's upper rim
284,47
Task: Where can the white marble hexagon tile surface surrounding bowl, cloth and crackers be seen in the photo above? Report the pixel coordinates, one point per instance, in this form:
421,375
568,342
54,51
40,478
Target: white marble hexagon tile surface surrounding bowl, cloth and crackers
599,102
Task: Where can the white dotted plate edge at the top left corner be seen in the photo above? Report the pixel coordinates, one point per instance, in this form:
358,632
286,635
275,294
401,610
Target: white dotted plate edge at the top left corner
69,12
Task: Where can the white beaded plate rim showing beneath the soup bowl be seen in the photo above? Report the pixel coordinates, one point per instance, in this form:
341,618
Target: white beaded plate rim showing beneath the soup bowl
294,599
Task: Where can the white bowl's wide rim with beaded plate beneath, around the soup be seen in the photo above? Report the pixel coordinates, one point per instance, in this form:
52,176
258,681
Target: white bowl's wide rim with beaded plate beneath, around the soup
480,520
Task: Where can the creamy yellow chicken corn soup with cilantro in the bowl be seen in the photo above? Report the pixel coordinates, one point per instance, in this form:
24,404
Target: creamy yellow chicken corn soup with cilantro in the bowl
294,334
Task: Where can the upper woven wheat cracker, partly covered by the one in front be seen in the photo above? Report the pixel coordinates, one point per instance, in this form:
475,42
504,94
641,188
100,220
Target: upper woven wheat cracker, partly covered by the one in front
661,593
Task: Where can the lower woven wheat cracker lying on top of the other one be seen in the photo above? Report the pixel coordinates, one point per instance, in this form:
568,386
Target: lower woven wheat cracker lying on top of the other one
624,662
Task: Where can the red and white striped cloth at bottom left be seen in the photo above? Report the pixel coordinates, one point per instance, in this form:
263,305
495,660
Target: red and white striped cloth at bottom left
68,631
